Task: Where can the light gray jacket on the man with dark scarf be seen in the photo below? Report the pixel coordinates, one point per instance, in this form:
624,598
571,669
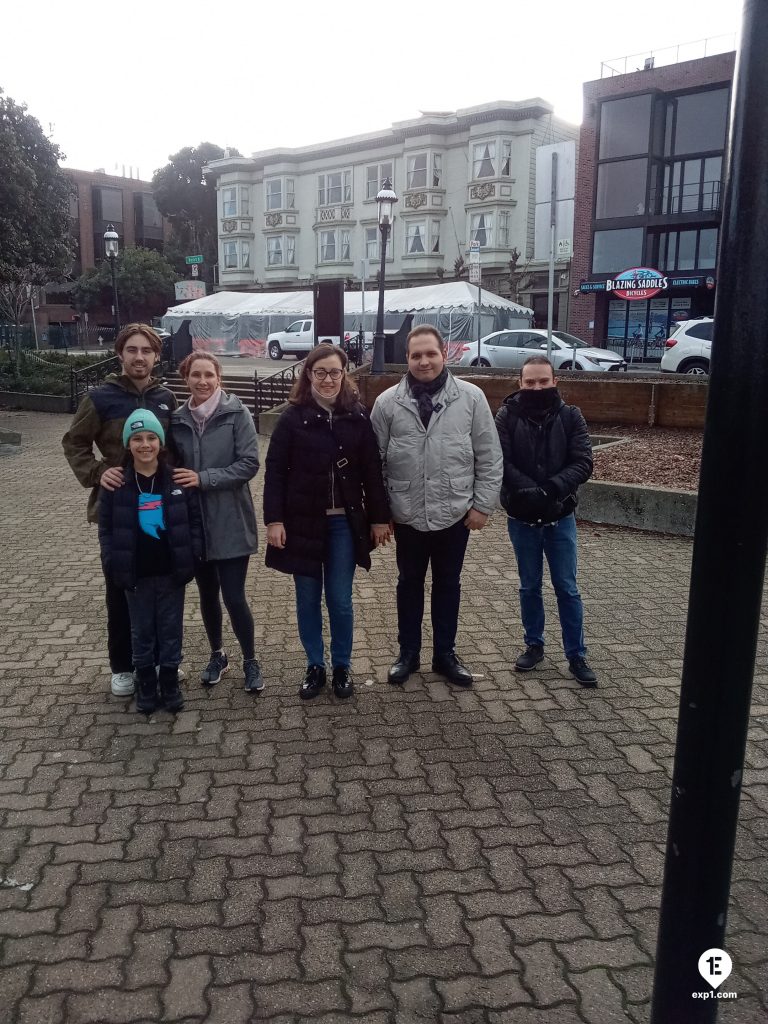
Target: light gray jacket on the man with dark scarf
436,476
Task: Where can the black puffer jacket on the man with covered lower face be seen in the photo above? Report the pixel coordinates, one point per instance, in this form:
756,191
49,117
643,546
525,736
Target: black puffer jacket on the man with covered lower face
556,454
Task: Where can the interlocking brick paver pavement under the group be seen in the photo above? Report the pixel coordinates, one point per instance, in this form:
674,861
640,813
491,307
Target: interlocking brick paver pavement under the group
411,856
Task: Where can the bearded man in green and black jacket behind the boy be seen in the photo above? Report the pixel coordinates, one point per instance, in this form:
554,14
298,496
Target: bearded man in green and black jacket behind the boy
100,421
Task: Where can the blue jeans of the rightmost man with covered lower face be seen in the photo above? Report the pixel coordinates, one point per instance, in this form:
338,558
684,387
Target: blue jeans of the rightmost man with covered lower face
559,543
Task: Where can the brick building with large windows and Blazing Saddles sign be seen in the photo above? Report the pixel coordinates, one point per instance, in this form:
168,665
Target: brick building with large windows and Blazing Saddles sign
650,191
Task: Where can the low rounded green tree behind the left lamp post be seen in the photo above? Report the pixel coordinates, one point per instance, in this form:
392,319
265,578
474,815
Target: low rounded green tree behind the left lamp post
145,281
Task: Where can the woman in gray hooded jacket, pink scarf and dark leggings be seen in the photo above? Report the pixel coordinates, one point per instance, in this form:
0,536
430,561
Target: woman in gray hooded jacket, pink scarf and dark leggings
216,441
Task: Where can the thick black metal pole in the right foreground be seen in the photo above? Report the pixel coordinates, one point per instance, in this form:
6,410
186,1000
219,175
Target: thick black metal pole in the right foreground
729,568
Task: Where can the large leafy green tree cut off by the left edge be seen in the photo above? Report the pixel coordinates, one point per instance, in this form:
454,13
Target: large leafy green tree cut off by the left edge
35,243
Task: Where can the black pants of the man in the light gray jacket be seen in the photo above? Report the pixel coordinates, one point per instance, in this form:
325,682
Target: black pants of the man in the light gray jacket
416,549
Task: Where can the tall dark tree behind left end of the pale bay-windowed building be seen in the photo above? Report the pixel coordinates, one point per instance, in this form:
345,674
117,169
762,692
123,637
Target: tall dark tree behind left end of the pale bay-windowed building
184,196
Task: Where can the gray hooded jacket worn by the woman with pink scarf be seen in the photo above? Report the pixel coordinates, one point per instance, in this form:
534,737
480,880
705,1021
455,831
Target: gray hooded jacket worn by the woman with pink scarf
227,457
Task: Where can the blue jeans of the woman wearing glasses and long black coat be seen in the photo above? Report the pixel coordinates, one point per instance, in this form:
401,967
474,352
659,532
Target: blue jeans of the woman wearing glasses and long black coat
338,573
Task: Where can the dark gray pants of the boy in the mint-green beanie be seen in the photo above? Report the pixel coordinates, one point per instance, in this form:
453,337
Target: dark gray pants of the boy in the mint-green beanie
157,611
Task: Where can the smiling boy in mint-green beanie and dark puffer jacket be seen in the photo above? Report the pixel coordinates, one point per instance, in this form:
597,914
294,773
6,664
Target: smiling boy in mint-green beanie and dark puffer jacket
151,536
